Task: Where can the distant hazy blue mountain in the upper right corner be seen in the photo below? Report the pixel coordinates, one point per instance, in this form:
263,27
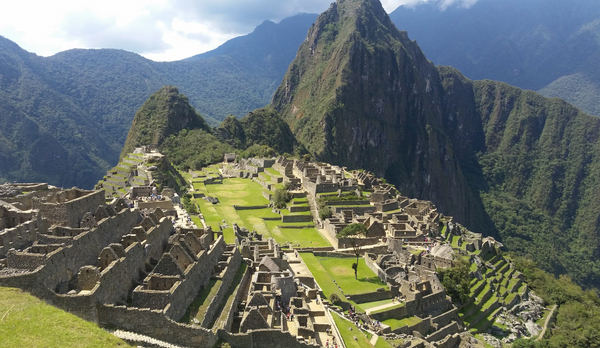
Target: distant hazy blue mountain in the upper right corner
546,45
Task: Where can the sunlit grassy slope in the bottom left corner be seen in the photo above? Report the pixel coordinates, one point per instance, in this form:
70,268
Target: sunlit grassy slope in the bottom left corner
26,321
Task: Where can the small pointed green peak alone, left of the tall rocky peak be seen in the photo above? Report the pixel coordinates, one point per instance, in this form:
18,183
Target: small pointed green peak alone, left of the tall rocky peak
166,112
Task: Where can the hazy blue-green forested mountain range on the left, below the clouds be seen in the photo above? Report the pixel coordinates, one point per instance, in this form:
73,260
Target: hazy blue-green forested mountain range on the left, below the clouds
64,118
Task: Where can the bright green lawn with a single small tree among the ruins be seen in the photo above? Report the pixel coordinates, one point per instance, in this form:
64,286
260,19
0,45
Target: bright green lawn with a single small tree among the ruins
340,270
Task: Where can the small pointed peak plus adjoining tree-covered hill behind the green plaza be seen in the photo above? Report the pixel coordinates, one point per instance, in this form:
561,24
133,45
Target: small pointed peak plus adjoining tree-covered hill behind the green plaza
167,120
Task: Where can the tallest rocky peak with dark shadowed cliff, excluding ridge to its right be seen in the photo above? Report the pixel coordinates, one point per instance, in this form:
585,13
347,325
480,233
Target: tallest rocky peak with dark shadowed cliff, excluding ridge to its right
361,94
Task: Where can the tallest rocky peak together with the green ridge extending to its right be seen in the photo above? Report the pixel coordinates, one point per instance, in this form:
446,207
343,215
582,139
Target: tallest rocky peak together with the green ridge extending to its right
503,161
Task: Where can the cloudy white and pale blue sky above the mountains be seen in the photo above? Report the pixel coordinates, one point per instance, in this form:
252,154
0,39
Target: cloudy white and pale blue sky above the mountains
161,30
